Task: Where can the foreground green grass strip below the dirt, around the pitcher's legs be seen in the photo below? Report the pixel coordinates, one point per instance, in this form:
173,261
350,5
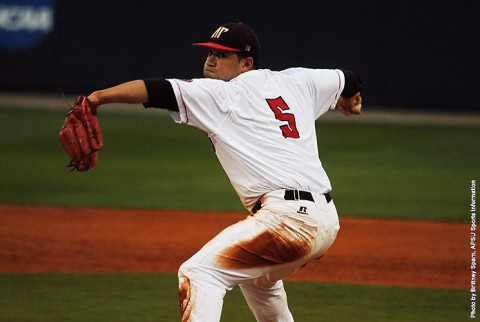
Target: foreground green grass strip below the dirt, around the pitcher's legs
153,297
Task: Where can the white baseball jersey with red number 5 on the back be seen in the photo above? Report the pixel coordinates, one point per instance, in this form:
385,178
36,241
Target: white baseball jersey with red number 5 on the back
262,125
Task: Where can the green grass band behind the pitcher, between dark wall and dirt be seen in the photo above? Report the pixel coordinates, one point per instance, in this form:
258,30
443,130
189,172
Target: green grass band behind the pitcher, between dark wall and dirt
413,171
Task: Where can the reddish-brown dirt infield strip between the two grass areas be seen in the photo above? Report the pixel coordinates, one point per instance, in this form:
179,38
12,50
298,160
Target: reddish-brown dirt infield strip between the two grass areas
367,251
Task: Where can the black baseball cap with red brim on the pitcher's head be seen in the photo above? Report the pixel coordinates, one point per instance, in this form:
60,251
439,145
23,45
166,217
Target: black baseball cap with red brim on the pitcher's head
235,37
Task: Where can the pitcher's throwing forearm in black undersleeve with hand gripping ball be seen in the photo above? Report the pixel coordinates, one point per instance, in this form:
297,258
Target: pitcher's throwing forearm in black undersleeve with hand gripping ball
350,101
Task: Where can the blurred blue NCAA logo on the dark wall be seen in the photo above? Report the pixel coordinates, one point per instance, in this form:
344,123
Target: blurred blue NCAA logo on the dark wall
24,23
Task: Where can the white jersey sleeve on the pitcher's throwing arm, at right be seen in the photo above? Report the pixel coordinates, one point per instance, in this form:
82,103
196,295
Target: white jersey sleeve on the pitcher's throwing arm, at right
323,85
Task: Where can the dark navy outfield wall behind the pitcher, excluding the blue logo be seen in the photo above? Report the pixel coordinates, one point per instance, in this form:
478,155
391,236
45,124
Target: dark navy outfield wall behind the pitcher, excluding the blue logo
410,54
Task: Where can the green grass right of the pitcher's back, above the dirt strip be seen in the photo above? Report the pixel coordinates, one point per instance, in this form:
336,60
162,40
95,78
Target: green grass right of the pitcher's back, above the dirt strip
412,171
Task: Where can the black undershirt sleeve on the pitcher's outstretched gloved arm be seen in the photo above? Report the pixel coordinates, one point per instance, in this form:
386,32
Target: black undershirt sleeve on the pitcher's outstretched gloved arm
160,94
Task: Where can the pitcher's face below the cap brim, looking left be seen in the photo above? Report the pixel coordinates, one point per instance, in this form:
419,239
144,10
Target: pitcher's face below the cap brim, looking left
222,65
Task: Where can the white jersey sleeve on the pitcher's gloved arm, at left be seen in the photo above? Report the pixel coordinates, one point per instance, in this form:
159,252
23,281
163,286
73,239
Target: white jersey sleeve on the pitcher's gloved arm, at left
203,103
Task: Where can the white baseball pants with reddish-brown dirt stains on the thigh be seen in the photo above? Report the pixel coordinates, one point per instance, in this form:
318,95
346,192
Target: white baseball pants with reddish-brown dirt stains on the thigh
256,254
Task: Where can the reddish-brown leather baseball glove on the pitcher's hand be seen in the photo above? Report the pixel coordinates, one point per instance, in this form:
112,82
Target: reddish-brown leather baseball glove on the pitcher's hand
81,136
